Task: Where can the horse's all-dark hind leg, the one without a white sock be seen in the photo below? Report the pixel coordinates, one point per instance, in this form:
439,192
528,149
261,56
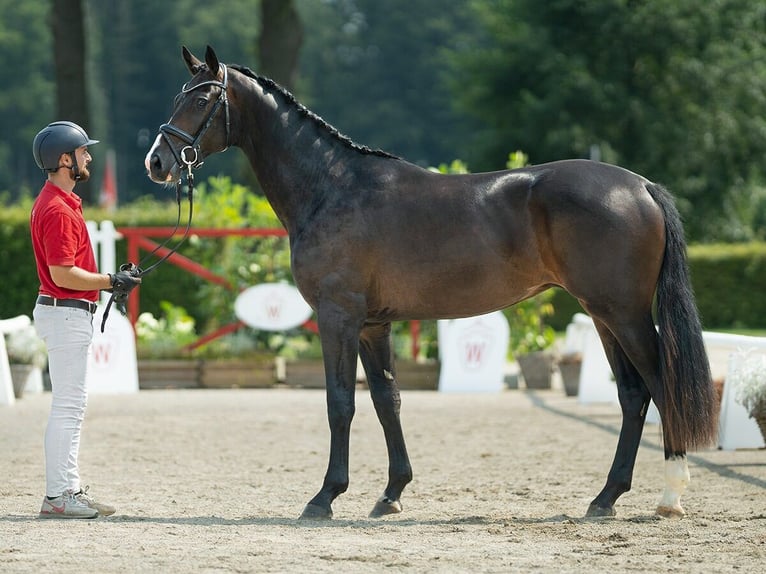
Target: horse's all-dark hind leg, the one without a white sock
634,400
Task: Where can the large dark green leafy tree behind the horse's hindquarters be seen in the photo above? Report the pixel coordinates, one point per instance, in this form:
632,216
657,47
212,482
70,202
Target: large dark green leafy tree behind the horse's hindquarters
673,90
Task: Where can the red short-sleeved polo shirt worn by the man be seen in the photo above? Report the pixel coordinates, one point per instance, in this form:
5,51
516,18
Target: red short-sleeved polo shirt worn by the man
60,237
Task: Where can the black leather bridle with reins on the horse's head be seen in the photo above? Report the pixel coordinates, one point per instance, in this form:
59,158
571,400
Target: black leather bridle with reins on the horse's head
187,162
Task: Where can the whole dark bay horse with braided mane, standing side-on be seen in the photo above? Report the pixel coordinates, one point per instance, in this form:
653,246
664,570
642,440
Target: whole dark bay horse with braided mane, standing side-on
375,239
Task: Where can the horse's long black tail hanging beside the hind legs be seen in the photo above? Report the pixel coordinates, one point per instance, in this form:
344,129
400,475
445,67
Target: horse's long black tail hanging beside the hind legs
687,403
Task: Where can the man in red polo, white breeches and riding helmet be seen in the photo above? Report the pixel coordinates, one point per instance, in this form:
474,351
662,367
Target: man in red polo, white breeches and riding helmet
63,315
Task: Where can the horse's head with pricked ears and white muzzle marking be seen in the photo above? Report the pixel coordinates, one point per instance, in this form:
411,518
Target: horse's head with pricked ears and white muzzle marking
200,123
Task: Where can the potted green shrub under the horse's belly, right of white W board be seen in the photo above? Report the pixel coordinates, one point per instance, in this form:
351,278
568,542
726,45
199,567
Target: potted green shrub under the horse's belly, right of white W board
532,340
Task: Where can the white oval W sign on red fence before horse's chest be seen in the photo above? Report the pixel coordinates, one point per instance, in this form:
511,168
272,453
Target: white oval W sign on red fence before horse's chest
272,307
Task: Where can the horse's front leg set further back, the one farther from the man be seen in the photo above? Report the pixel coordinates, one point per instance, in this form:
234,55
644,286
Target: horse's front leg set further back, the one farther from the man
377,358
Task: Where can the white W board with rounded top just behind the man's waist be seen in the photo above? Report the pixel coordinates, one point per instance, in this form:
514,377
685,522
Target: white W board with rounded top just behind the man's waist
112,365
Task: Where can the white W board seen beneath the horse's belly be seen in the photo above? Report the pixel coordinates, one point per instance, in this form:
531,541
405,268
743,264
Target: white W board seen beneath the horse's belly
473,353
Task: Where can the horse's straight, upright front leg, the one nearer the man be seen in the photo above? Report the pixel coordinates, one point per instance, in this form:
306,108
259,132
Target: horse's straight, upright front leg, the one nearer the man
339,331
